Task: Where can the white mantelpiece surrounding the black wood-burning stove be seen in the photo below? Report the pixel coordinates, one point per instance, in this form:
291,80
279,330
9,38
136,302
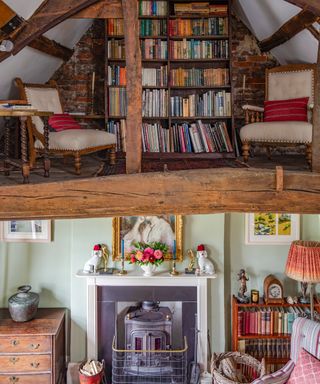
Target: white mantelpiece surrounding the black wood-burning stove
135,278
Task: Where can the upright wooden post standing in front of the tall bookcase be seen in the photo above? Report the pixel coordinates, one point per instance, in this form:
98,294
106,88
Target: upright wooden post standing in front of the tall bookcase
134,86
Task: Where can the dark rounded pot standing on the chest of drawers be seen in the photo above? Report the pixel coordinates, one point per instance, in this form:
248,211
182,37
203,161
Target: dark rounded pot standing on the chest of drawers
24,304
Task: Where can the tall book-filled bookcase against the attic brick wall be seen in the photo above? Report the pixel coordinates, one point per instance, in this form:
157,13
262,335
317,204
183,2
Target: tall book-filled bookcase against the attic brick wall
186,79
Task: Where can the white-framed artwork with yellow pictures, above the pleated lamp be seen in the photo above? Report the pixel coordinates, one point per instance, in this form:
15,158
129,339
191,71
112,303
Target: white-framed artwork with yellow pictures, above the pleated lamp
271,228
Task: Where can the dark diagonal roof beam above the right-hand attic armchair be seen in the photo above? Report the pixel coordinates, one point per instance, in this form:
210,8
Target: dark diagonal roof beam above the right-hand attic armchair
292,27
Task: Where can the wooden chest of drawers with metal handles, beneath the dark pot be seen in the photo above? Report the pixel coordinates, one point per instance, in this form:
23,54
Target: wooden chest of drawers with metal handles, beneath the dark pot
33,352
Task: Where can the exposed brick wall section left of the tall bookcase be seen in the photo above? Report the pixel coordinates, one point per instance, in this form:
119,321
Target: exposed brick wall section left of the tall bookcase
75,77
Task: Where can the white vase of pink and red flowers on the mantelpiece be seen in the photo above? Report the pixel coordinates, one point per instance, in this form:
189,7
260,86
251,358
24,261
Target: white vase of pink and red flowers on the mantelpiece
148,256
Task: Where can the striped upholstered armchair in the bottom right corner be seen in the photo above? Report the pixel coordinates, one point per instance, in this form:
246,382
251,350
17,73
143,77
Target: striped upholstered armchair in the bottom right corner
305,334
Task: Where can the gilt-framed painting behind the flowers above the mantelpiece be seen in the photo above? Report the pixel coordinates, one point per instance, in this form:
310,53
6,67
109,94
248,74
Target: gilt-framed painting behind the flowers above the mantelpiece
164,228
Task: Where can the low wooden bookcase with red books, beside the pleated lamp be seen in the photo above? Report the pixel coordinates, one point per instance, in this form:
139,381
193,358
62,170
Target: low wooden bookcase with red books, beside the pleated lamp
263,330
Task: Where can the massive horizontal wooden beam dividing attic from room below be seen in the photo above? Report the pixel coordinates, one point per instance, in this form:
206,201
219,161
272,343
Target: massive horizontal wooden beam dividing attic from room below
181,192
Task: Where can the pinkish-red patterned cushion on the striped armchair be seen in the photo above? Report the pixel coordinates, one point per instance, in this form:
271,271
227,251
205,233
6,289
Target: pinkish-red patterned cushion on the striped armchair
306,371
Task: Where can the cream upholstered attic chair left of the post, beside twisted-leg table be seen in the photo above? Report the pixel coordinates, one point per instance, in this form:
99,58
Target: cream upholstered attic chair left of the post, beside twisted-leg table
72,142
